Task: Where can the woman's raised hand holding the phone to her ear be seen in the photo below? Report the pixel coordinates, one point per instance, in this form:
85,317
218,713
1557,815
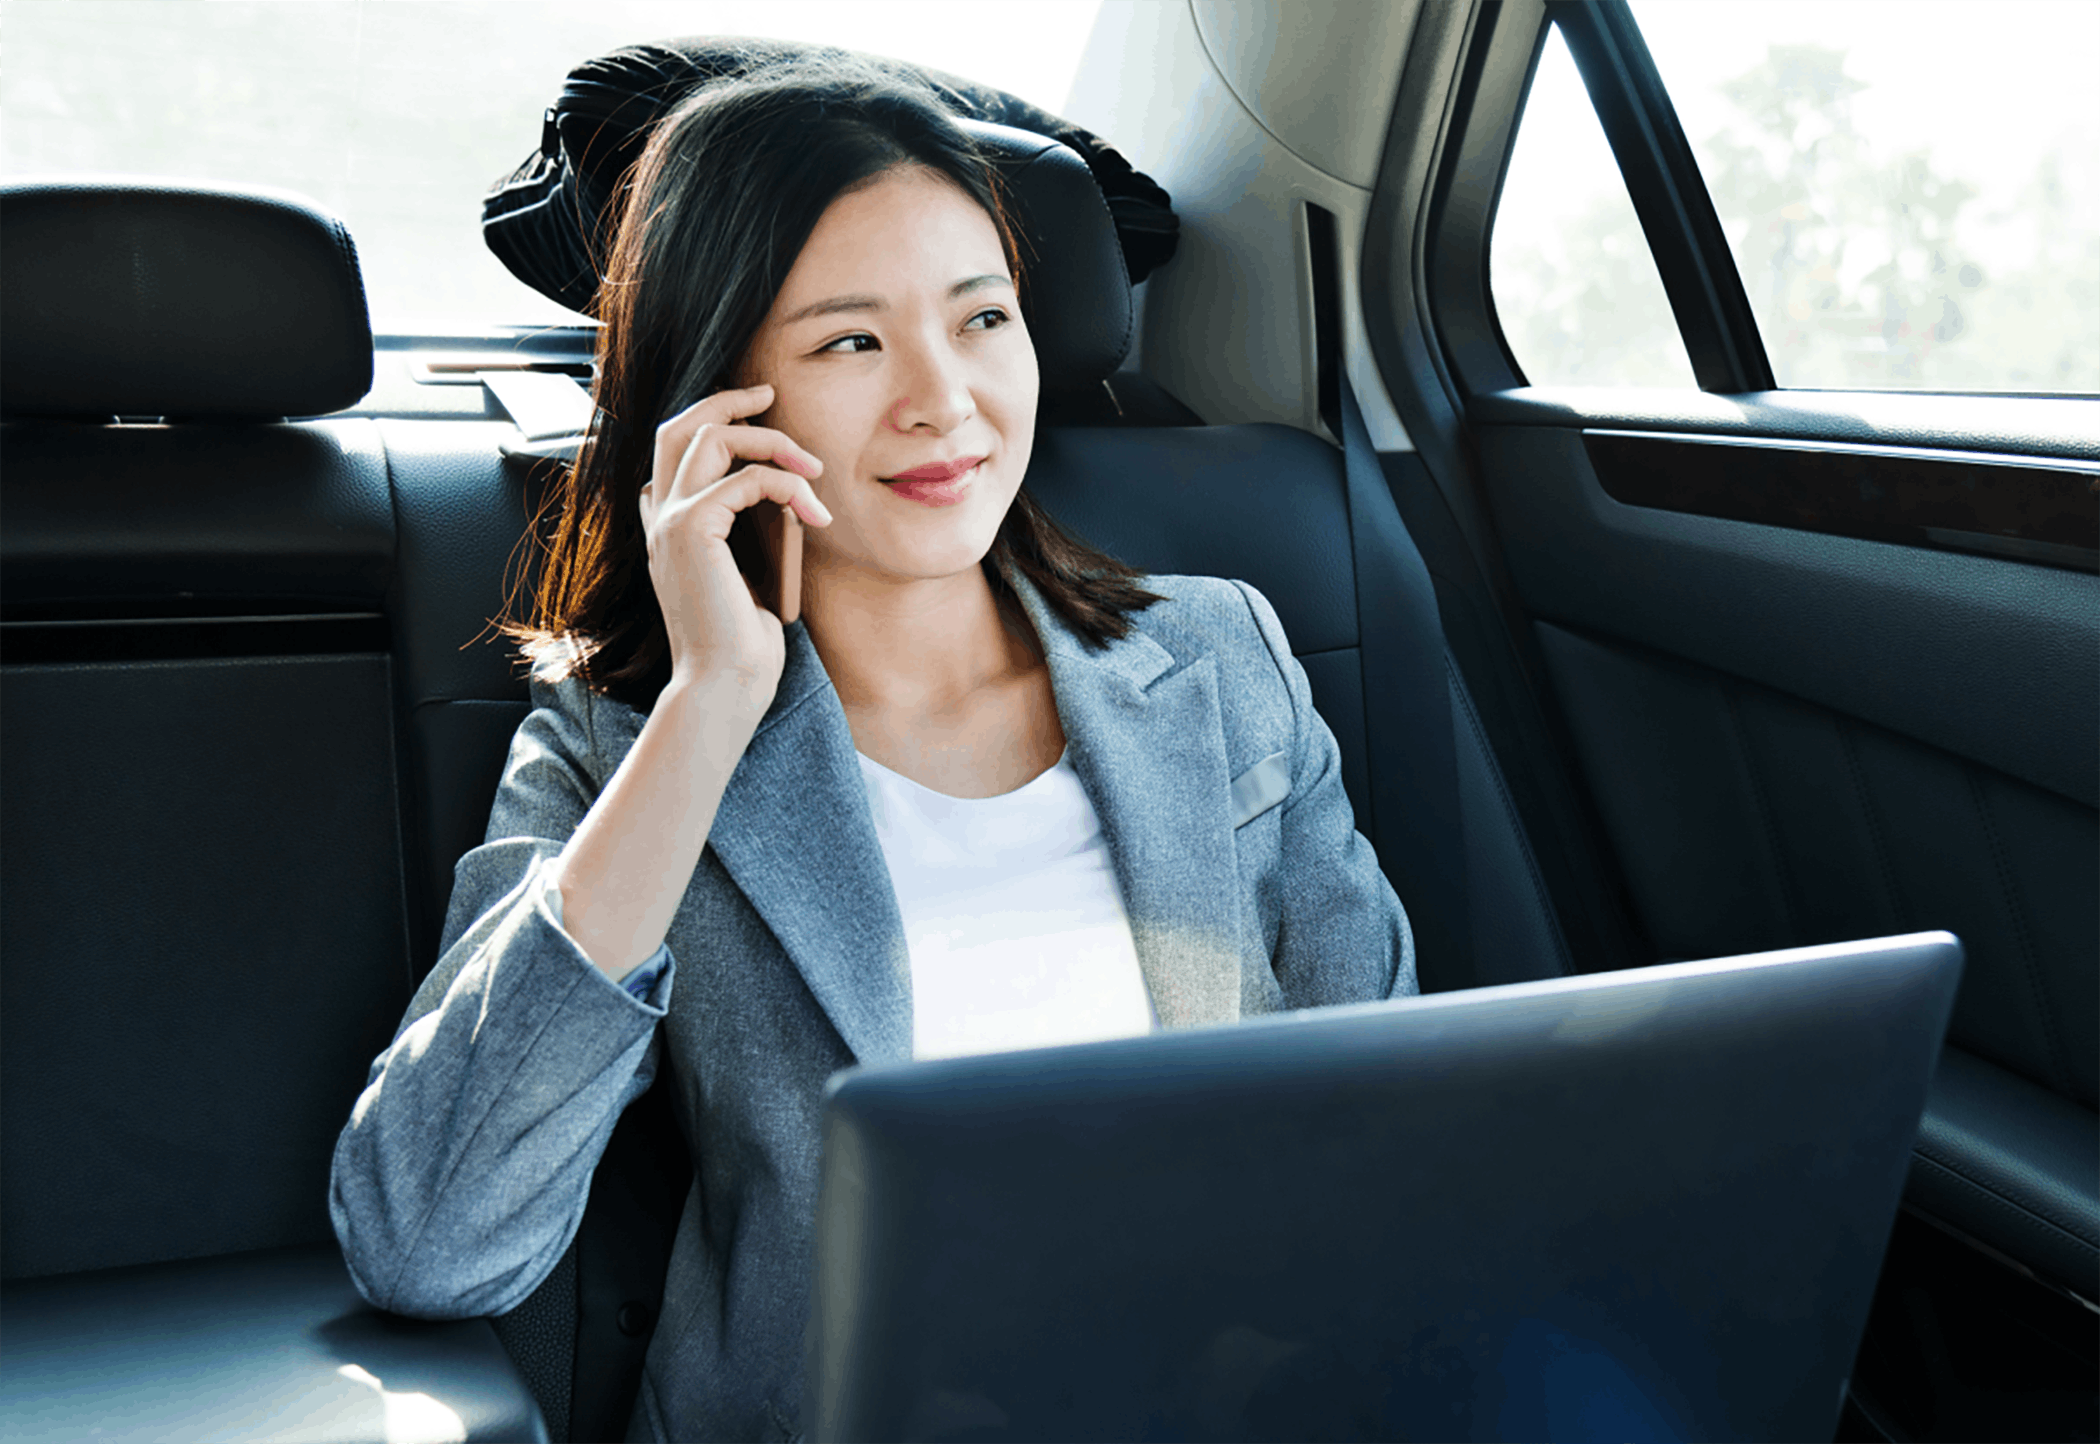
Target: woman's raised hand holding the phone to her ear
719,631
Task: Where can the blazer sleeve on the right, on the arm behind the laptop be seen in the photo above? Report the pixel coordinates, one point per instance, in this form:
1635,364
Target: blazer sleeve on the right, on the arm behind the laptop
1343,935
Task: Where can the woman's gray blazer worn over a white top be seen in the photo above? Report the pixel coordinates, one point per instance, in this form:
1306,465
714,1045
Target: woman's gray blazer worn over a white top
465,1168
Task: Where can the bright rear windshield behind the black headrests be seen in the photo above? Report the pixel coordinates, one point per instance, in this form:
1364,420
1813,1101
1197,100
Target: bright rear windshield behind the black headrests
402,116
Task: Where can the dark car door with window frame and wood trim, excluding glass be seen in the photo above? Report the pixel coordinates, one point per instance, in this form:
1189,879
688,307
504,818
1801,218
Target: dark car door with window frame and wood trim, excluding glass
1820,666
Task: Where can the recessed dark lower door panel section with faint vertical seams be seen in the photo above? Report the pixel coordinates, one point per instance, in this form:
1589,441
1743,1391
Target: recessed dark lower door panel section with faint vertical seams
1750,820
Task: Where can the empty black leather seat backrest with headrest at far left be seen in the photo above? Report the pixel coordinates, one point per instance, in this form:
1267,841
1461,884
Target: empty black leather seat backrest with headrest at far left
203,895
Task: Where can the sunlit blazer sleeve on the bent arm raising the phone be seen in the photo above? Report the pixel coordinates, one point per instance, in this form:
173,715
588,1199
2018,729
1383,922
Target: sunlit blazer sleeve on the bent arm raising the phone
465,1168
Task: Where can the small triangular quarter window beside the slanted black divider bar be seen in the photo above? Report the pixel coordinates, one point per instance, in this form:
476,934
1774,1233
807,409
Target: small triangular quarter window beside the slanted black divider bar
1572,274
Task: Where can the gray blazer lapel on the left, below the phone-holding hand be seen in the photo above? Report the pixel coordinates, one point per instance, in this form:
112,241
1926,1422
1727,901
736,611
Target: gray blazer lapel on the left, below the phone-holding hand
797,836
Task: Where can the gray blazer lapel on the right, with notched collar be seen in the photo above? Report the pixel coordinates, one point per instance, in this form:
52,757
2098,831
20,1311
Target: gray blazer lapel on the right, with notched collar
1150,748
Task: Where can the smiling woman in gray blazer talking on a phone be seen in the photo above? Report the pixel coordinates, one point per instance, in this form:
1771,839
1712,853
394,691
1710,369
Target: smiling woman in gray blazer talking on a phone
982,794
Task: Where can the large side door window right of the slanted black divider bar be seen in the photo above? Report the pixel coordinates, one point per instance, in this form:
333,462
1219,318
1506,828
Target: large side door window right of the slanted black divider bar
1908,186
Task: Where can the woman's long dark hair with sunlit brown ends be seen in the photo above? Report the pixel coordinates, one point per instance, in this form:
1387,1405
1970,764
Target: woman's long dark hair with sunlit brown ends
715,215
